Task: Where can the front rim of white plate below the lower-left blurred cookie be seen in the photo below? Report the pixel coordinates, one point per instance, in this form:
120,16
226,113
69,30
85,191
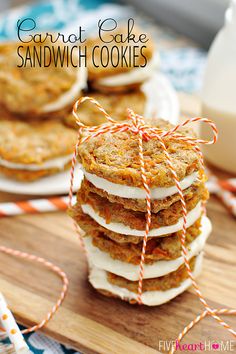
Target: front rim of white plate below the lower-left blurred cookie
55,184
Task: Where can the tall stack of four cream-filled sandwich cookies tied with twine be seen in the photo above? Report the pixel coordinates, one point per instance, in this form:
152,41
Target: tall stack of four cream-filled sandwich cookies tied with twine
111,210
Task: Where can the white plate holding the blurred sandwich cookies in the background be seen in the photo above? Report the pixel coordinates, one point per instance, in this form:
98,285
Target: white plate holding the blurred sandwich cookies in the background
162,103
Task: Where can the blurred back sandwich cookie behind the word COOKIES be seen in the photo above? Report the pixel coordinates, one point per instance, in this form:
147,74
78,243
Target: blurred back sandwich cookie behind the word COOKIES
108,72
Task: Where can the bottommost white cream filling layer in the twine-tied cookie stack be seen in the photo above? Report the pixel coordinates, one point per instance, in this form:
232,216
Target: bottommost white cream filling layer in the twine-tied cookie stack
98,280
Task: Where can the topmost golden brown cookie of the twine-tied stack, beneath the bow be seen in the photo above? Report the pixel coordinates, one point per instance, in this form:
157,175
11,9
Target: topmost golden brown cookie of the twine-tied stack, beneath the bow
115,157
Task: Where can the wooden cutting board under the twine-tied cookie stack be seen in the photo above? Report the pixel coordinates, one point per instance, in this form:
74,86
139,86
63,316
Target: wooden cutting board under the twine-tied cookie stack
92,323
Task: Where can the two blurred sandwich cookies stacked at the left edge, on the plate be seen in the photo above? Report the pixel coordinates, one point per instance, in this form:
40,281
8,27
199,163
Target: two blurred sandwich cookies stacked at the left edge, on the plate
34,141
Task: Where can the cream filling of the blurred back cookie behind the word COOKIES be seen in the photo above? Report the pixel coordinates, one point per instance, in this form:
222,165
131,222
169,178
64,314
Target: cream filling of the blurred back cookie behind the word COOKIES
133,76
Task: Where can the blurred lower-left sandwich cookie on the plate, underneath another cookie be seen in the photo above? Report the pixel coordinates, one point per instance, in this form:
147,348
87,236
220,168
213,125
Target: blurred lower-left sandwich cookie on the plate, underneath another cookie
31,150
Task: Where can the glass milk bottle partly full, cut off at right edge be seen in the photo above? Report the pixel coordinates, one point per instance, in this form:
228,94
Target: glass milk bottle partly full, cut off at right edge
219,95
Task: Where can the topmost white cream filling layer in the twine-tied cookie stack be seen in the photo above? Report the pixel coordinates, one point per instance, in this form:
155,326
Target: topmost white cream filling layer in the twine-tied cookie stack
123,191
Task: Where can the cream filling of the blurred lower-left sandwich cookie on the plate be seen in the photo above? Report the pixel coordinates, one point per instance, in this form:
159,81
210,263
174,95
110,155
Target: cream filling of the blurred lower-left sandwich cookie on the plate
58,162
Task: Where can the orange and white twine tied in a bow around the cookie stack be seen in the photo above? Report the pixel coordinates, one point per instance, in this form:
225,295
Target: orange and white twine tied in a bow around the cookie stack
136,125
